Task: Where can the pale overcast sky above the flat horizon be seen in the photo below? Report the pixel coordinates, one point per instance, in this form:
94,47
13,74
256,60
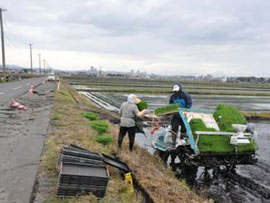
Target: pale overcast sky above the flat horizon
228,37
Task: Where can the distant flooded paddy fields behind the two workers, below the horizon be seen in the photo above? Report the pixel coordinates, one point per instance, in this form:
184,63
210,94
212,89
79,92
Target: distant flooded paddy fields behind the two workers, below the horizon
245,96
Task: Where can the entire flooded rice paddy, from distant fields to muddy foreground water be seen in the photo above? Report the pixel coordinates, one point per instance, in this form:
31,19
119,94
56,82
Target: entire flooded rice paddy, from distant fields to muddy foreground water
249,183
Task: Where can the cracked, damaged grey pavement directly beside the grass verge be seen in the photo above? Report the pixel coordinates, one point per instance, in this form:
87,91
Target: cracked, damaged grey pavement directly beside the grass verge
21,143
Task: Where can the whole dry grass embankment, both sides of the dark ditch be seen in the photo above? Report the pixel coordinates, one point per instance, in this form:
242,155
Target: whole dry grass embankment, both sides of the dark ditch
69,126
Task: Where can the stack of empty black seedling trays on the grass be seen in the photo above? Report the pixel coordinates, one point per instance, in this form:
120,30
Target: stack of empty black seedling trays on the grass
81,172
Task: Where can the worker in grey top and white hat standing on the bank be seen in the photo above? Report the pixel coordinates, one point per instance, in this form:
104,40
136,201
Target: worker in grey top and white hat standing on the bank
128,113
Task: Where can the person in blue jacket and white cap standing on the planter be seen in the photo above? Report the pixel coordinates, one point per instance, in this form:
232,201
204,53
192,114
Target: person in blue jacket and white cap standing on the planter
185,101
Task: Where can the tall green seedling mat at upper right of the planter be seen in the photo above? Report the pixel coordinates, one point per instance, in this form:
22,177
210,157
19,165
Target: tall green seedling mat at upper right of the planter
226,115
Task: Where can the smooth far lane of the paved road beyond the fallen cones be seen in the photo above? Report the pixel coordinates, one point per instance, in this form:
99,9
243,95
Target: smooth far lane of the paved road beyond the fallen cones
17,88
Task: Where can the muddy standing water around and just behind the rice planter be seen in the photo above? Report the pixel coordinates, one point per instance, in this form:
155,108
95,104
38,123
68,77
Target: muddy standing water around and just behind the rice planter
250,183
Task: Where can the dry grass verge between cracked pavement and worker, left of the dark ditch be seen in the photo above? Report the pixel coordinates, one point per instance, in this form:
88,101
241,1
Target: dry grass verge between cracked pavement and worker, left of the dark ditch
69,126
